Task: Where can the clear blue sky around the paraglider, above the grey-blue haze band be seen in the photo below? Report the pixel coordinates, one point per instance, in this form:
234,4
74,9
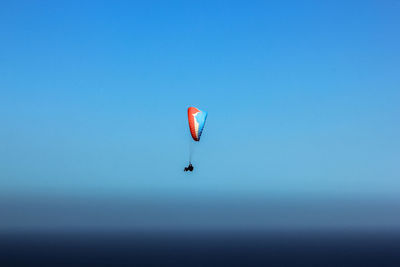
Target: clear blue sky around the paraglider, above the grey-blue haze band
303,98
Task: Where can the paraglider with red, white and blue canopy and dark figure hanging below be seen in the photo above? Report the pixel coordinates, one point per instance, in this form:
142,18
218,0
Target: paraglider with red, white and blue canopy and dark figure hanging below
197,119
